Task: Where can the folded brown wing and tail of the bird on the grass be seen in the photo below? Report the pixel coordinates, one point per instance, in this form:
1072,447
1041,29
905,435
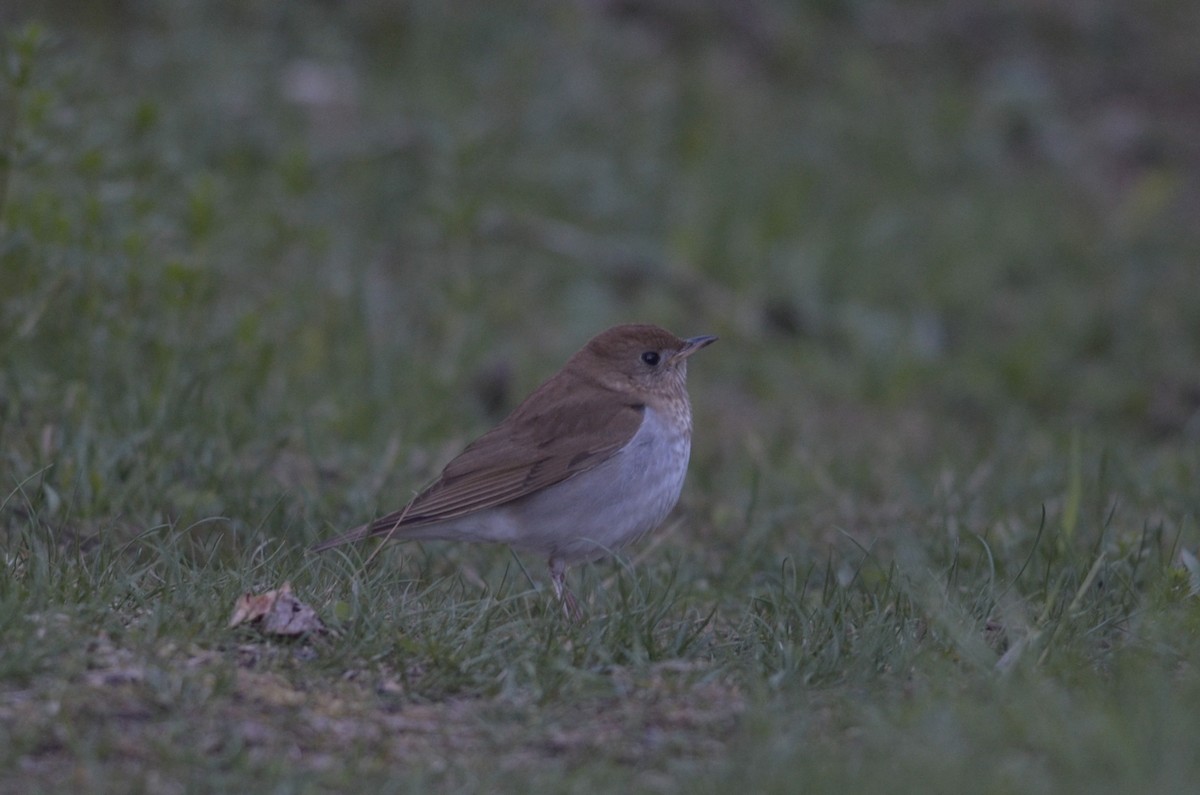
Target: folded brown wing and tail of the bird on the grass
532,450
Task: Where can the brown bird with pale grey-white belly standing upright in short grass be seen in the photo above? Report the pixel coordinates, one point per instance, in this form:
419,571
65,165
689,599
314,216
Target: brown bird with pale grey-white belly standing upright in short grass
590,463
